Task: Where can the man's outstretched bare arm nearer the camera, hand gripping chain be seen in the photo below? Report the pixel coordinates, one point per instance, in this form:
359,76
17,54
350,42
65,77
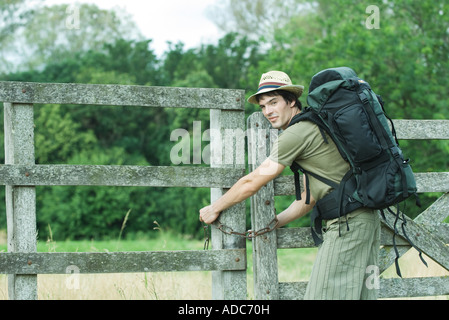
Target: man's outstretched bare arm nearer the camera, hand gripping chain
242,189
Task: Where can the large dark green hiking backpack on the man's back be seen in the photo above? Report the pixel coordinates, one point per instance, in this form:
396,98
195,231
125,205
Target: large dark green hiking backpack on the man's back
344,106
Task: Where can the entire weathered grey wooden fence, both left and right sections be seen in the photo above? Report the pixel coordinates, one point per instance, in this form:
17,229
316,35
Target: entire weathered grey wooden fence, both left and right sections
227,260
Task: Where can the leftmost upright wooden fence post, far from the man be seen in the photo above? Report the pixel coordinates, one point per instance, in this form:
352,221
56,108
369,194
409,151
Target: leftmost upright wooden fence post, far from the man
20,201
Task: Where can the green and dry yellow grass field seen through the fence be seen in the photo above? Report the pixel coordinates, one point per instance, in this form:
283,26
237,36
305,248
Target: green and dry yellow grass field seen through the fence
293,265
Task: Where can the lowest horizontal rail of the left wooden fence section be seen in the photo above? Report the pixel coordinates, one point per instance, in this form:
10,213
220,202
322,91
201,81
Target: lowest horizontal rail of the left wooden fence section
122,262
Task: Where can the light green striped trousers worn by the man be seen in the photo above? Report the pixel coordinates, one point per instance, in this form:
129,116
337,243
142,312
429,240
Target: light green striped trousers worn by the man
347,260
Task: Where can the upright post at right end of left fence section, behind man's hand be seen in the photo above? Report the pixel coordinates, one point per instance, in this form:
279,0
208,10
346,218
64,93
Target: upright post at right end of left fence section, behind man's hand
227,149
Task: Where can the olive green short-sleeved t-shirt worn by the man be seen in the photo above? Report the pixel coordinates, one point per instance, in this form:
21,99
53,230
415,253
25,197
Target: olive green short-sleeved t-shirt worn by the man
303,143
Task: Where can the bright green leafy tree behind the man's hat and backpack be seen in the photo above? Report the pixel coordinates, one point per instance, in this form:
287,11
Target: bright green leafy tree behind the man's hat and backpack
405,60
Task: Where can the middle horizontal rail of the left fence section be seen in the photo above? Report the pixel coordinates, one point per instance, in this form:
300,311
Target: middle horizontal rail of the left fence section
82,175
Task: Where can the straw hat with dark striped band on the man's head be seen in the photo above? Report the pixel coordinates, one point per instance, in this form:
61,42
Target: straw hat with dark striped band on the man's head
276,80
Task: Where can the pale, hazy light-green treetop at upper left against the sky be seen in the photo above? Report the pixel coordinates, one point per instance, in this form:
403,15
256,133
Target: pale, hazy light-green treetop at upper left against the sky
58,31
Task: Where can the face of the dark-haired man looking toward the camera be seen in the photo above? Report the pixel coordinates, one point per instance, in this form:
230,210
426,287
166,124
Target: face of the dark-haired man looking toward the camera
277,110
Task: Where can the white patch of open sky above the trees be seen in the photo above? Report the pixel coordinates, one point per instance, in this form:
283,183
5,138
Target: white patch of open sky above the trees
164,20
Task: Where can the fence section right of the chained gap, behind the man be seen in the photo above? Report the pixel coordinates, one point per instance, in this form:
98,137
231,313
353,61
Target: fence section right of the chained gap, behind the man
427,231
